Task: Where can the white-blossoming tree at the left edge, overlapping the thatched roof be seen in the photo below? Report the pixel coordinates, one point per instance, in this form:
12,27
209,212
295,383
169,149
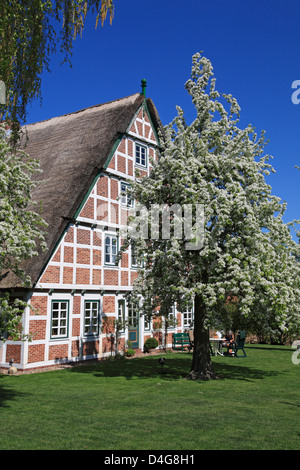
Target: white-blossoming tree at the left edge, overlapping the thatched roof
20,227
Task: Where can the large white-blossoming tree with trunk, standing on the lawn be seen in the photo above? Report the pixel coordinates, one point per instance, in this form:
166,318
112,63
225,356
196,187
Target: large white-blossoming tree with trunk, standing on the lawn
244,250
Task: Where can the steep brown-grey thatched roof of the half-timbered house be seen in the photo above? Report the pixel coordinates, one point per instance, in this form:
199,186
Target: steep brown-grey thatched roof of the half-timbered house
71,150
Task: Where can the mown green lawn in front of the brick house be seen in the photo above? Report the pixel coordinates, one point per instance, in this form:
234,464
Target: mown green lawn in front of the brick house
134,405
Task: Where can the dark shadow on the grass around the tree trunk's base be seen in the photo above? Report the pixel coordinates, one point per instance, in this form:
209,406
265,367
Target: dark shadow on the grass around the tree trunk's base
177,366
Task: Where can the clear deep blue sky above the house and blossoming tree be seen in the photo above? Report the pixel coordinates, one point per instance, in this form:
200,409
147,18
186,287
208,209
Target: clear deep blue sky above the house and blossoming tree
253,46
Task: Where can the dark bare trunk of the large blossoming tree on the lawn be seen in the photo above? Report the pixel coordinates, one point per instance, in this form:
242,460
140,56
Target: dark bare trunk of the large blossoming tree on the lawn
201,364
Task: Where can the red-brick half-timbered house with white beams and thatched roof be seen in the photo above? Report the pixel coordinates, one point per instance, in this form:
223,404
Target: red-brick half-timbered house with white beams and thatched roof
88,158
